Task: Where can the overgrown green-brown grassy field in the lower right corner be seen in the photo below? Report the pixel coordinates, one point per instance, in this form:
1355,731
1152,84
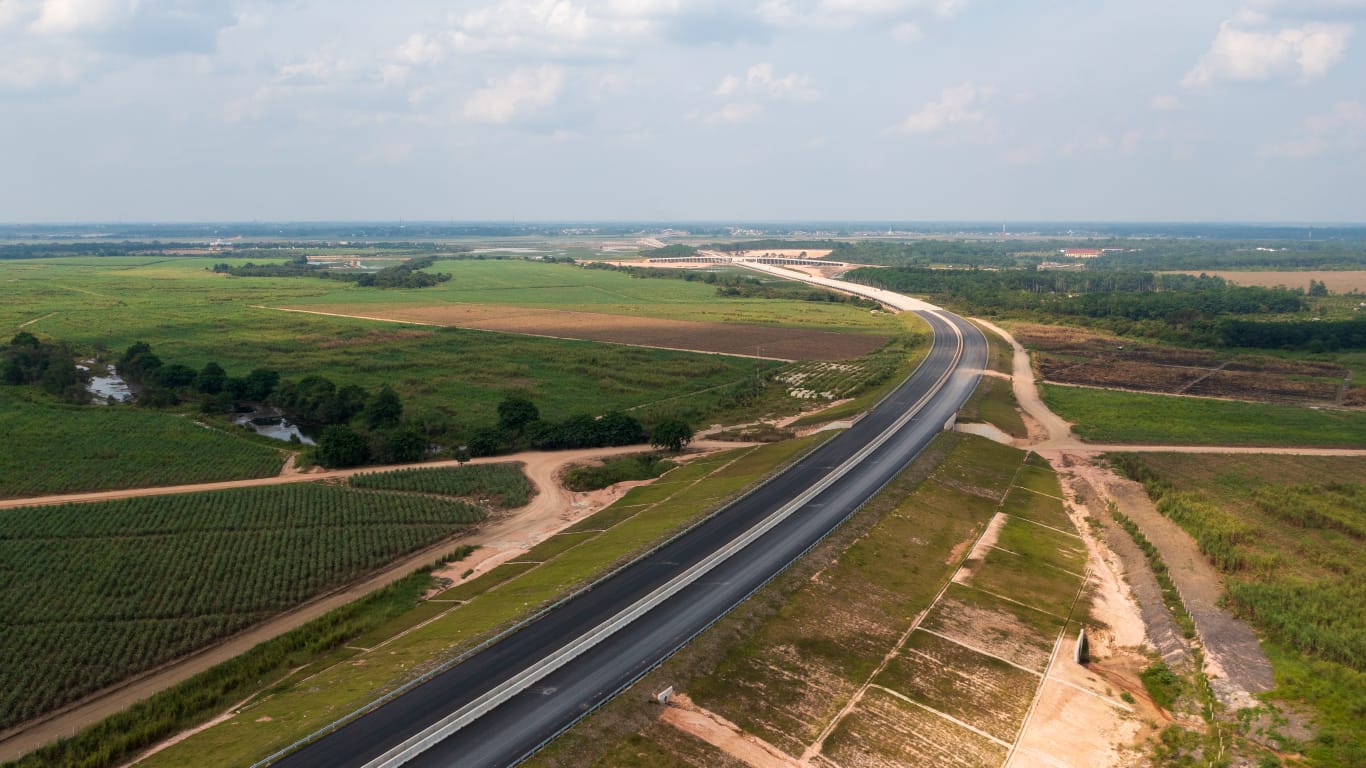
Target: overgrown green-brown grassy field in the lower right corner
1289,535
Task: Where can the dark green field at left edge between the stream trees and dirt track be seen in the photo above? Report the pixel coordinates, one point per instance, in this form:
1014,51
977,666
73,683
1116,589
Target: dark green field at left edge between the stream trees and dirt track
54,449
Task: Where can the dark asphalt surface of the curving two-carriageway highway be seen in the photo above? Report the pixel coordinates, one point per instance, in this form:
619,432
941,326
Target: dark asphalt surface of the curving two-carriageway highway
518,728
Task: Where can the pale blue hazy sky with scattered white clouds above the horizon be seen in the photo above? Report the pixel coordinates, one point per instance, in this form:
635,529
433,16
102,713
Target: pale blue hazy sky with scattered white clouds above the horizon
684,110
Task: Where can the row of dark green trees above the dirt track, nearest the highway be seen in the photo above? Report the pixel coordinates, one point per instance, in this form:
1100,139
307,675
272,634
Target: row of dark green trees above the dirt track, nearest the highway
521,427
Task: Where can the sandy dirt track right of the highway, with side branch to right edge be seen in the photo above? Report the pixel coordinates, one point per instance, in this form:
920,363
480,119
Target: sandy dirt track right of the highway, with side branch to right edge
1234,658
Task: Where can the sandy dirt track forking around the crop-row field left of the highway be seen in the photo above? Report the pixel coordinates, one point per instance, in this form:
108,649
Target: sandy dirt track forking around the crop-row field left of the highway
501,538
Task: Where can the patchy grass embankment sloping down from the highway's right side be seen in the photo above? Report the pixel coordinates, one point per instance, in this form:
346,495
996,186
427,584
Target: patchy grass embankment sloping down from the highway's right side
786,663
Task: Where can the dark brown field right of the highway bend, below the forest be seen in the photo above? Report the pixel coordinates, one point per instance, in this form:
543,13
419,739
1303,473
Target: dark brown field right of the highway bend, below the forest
1089,359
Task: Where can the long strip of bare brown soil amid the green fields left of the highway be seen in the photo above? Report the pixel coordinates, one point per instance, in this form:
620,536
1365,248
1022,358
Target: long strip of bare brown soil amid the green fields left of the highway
718,338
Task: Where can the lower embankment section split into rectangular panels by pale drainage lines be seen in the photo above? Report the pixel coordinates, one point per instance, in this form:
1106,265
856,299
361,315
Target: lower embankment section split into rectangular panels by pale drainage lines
983,650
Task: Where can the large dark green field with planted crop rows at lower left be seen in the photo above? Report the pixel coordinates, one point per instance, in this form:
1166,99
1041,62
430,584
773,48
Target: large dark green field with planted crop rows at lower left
98,592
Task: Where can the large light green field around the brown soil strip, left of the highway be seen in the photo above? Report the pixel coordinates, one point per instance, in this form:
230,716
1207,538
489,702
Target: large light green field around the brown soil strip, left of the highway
193,316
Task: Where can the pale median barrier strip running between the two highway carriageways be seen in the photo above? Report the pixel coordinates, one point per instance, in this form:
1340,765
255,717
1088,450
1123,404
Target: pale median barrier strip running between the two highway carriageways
461,718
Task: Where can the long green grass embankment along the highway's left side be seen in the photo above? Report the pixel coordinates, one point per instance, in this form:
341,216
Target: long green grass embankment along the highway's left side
400,648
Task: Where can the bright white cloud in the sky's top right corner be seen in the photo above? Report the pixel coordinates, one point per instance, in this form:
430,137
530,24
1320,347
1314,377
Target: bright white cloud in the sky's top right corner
1251,47
